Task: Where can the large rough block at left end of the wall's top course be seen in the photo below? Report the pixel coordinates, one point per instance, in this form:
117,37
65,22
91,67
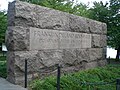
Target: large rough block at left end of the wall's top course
37,16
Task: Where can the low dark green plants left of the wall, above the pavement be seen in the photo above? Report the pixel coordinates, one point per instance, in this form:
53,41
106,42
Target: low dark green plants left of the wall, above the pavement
3,71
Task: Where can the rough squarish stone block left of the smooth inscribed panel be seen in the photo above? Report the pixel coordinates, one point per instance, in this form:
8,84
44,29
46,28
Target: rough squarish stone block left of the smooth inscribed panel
17,38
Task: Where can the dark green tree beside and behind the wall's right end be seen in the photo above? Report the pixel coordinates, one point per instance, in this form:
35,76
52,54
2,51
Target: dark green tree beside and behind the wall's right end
109,14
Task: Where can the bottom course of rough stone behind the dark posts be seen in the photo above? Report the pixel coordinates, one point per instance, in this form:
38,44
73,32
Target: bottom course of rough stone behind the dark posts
43,63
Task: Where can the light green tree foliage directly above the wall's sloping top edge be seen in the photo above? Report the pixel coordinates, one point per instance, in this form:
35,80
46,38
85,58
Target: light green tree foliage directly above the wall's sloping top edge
69,6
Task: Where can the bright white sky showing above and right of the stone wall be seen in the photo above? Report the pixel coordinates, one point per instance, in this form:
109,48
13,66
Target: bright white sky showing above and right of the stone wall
110,52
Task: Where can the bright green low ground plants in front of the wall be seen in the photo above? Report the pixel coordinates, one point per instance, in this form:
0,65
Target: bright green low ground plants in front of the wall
102,78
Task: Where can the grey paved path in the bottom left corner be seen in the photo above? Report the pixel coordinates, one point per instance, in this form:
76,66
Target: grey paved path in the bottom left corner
5,85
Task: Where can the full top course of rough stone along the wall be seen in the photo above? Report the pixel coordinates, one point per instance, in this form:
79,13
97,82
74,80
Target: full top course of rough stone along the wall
46,18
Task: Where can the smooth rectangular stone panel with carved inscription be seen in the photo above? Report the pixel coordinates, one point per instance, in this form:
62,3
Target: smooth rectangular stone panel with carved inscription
54,39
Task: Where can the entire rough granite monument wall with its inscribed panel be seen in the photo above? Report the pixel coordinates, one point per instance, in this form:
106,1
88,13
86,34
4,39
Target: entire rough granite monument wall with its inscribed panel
43,61
